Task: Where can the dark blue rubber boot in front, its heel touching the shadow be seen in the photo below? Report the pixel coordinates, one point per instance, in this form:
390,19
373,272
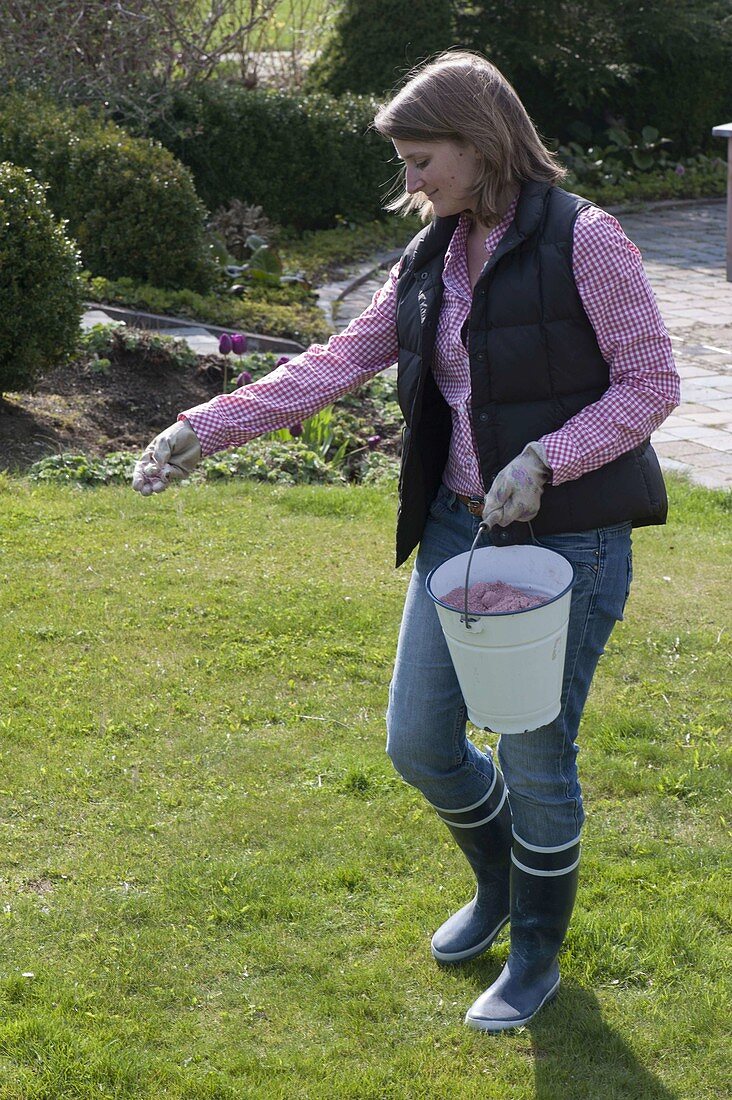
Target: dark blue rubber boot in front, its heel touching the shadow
543,890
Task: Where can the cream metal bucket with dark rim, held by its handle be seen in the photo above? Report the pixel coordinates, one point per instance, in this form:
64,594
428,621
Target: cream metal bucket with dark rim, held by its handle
510,666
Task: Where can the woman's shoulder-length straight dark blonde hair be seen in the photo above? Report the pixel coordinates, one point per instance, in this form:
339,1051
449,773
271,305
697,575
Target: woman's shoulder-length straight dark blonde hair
462,97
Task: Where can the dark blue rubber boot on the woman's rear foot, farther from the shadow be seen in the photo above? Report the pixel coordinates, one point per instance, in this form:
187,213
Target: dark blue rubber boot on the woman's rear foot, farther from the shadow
484,833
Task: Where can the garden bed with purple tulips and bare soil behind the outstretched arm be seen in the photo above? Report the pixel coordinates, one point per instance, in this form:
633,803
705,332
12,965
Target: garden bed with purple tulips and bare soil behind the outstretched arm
127,386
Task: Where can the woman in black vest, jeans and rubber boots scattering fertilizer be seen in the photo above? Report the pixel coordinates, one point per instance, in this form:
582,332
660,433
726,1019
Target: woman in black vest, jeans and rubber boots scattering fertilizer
533,367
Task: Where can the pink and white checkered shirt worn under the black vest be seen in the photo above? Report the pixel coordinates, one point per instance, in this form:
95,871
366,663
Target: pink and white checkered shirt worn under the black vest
644,386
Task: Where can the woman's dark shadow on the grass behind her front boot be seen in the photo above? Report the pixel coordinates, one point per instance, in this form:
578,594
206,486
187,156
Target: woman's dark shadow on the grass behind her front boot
578,1055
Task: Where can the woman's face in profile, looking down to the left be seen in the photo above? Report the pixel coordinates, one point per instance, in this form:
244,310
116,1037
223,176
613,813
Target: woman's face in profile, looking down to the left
444,171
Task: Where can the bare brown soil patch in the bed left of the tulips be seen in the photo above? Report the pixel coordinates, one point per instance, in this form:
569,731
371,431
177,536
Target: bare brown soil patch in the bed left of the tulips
84,411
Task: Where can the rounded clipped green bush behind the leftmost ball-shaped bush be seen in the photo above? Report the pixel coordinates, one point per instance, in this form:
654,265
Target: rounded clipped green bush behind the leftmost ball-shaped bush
132,207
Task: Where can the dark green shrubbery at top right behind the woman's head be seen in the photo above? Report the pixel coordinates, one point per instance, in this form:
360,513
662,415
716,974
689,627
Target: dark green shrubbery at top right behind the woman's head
668,63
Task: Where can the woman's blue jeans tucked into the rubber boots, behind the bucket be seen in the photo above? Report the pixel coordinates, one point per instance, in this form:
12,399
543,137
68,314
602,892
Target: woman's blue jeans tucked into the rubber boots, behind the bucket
427,718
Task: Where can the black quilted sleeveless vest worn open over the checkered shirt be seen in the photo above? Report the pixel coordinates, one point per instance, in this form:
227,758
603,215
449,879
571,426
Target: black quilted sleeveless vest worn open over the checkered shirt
534,364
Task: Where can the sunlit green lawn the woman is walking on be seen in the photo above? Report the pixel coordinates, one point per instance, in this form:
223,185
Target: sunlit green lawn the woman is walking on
215,886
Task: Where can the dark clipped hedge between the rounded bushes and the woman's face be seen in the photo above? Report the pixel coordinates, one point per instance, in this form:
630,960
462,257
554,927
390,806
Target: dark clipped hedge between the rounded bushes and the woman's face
309,161
